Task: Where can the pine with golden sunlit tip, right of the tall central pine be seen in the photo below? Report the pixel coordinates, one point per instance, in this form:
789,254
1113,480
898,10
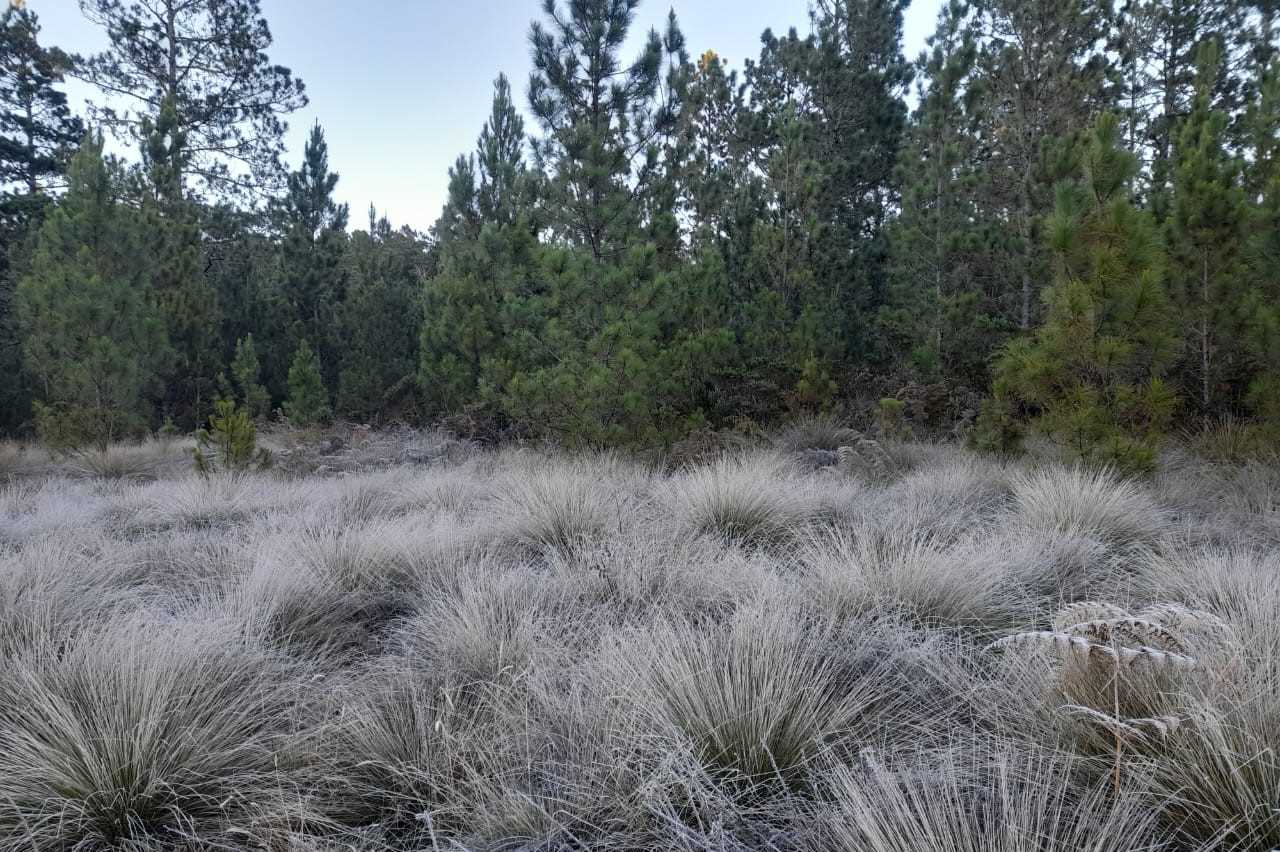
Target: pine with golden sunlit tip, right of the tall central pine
743,299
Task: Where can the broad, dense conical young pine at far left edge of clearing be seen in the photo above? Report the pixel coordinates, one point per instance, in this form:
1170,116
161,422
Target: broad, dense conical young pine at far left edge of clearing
92,338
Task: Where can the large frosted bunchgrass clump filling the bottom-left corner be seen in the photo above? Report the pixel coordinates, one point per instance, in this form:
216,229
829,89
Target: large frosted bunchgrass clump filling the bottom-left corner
140,736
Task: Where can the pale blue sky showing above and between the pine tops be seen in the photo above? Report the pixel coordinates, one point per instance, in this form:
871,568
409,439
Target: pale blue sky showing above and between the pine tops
403,88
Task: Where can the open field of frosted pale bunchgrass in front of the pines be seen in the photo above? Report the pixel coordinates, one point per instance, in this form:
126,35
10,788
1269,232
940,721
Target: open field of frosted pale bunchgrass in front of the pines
784,648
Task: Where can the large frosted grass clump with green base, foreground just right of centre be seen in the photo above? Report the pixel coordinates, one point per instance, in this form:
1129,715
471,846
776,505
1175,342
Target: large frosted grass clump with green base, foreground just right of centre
769,691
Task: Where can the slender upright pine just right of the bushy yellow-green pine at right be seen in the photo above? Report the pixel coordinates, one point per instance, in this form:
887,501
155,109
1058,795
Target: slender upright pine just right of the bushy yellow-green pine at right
1206,228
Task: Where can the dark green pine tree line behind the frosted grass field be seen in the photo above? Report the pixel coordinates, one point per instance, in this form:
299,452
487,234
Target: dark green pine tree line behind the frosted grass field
1075,230
